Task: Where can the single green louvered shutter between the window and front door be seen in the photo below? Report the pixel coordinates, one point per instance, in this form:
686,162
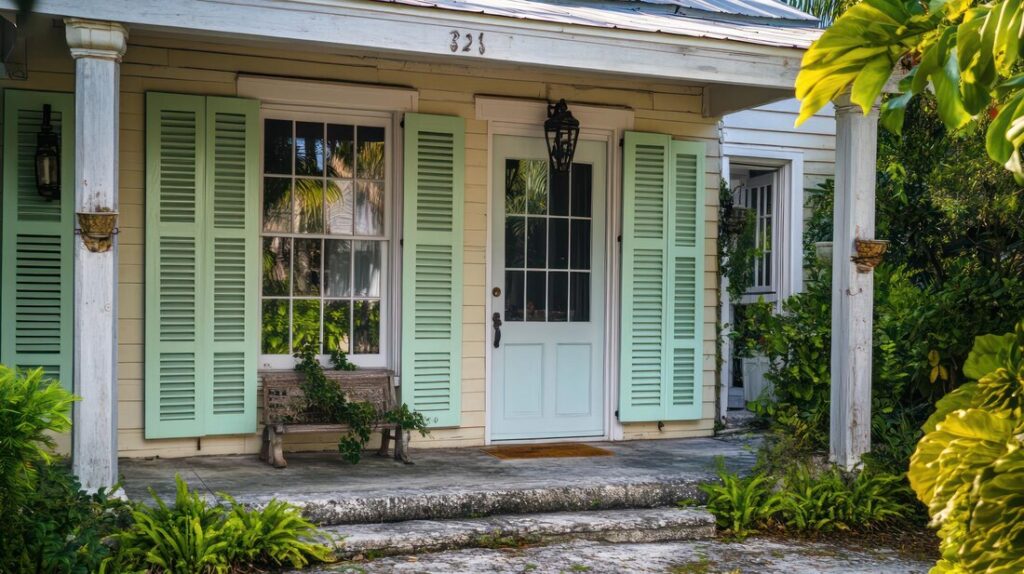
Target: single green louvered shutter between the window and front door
432,338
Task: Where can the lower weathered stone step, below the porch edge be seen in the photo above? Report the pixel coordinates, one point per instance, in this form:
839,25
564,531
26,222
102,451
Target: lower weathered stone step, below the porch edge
647,525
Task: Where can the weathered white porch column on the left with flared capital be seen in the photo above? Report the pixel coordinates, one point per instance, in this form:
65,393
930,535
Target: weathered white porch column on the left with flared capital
97,48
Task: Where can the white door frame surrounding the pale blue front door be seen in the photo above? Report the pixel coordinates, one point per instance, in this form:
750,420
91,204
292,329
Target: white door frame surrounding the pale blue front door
526,118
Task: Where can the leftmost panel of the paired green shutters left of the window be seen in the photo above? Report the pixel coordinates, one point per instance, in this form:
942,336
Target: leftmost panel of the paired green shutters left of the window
176,219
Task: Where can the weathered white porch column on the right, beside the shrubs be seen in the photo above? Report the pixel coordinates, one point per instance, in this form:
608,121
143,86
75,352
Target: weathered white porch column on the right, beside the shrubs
857,146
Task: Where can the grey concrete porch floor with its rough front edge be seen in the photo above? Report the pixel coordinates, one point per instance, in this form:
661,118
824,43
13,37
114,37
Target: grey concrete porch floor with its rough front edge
453,482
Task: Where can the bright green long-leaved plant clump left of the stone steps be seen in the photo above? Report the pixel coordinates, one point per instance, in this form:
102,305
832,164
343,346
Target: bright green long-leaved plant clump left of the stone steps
193,537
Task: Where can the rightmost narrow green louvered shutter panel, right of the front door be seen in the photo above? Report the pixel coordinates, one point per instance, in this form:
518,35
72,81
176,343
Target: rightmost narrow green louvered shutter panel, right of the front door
686,257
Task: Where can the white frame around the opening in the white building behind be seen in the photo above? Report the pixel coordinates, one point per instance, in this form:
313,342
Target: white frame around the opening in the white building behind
790,230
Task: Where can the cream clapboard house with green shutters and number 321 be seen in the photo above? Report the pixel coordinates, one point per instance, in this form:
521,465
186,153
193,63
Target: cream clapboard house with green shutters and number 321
372,178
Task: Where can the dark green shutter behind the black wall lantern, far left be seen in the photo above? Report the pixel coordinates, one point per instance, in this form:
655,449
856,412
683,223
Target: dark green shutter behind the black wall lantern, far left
36,258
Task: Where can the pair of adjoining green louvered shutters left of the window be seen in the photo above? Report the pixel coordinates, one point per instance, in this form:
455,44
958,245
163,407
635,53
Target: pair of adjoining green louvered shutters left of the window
202,261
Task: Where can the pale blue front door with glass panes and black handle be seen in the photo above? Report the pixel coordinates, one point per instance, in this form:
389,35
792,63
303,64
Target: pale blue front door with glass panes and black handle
548,292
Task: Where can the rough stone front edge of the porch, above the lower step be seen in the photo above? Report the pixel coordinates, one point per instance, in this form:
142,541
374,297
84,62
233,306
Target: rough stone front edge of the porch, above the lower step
330,511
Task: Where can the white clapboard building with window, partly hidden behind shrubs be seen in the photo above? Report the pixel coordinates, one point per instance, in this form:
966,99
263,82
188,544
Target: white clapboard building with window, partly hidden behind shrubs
769,164
